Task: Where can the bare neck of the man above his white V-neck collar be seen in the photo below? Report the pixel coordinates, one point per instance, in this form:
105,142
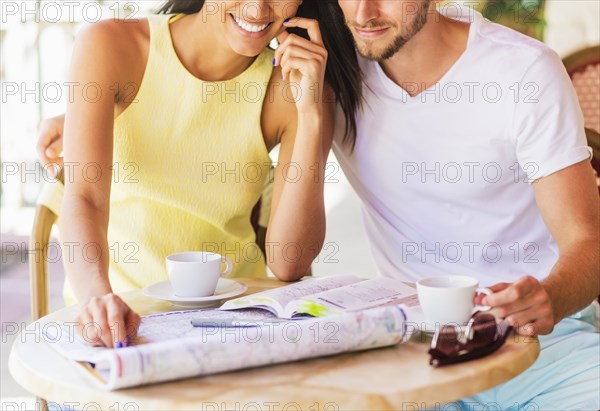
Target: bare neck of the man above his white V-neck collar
428,56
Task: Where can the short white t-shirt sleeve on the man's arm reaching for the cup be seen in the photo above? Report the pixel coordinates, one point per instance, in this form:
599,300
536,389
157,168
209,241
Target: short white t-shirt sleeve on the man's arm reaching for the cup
548,122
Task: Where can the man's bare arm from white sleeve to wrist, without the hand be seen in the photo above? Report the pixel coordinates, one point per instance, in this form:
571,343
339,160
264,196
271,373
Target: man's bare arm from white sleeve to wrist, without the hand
568,201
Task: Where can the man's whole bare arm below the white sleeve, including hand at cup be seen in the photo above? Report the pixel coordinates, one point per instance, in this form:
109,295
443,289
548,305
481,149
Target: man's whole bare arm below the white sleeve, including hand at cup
569,203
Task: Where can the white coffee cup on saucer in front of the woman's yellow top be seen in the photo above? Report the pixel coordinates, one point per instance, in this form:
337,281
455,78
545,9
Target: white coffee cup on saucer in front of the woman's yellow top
196,273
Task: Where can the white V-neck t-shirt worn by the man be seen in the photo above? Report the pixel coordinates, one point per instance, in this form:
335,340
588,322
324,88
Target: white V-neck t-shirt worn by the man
445,177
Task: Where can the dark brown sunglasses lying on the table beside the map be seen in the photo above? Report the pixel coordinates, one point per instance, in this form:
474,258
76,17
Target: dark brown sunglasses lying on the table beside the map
481,336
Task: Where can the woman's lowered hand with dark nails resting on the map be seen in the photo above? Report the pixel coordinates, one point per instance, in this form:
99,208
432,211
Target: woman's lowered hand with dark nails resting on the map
107,321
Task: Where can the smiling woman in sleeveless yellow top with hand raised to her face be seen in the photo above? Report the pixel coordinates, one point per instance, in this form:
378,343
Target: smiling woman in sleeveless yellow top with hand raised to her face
177,135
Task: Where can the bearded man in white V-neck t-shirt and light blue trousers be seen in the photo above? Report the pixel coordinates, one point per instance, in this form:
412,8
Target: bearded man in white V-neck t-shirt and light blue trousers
471,158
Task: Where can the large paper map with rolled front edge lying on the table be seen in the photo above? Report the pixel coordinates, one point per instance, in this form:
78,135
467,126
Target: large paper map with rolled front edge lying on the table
170,348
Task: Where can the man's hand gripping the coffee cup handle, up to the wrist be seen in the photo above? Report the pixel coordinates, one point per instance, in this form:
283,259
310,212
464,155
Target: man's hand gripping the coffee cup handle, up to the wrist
524,304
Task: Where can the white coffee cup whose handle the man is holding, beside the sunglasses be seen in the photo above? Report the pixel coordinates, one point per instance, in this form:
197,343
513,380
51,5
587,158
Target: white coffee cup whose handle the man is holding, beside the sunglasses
449,299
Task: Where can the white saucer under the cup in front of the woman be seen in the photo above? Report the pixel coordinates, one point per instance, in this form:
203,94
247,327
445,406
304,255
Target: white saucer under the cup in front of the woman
225,289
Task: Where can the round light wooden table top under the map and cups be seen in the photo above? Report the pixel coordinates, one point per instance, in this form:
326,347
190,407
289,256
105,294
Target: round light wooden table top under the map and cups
391,378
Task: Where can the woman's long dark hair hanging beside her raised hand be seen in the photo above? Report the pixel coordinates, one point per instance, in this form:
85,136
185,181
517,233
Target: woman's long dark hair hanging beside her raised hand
343,73
